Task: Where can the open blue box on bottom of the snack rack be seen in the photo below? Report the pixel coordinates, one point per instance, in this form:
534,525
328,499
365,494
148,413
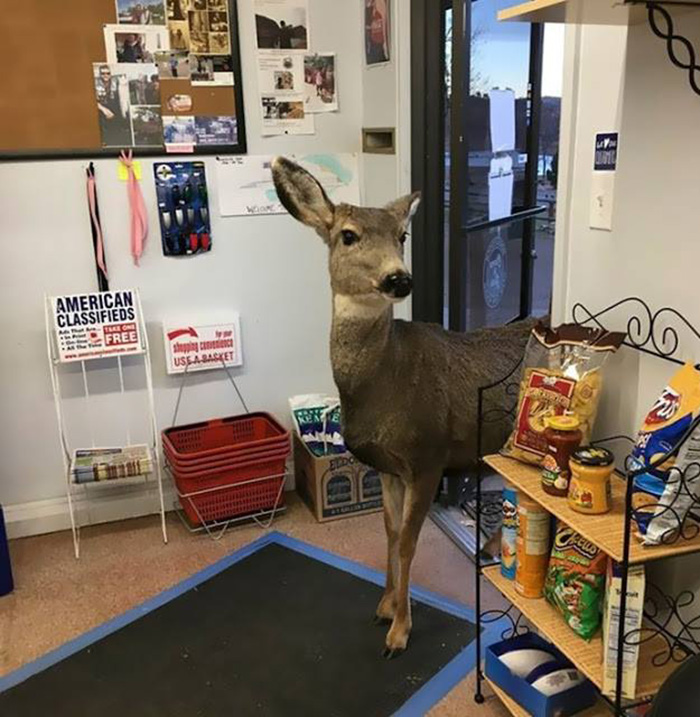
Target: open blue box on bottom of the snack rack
566,703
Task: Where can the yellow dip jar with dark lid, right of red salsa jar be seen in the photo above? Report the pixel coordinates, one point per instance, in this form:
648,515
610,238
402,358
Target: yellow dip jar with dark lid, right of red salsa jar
590,488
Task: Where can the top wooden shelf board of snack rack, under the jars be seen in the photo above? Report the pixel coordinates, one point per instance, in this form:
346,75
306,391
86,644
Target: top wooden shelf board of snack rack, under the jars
605,531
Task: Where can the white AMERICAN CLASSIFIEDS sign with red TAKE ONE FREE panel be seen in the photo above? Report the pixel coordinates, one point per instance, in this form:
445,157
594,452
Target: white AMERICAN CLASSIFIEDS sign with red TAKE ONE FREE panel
89,326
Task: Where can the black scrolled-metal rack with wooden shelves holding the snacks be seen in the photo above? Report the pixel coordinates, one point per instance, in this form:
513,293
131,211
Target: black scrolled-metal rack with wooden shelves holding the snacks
670,631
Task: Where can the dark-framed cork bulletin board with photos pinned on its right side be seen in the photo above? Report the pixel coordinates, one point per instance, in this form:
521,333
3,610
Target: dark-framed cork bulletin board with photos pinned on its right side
183,93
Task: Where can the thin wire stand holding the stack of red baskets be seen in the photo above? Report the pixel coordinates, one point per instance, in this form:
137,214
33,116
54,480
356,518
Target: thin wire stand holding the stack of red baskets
216,529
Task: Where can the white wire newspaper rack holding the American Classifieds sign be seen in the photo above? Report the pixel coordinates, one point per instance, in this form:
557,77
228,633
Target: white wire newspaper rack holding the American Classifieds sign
152,479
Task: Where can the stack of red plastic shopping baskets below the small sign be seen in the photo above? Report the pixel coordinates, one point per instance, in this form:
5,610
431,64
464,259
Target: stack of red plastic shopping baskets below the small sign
228,467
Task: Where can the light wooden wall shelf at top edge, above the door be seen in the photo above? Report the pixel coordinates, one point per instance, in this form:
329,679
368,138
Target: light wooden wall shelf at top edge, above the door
581,12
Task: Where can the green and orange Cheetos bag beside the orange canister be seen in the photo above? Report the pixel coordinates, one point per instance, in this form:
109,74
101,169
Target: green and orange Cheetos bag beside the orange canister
575,583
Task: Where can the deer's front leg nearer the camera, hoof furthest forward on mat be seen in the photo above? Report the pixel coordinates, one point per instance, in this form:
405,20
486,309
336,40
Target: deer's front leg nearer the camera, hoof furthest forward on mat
419,496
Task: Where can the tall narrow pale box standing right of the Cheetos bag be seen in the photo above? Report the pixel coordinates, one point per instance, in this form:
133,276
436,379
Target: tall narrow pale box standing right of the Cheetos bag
633,623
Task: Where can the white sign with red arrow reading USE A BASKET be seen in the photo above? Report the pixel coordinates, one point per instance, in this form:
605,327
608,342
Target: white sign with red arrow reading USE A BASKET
202,346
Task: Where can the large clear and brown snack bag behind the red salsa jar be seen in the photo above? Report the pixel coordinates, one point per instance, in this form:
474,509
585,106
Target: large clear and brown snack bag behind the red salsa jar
561,374
